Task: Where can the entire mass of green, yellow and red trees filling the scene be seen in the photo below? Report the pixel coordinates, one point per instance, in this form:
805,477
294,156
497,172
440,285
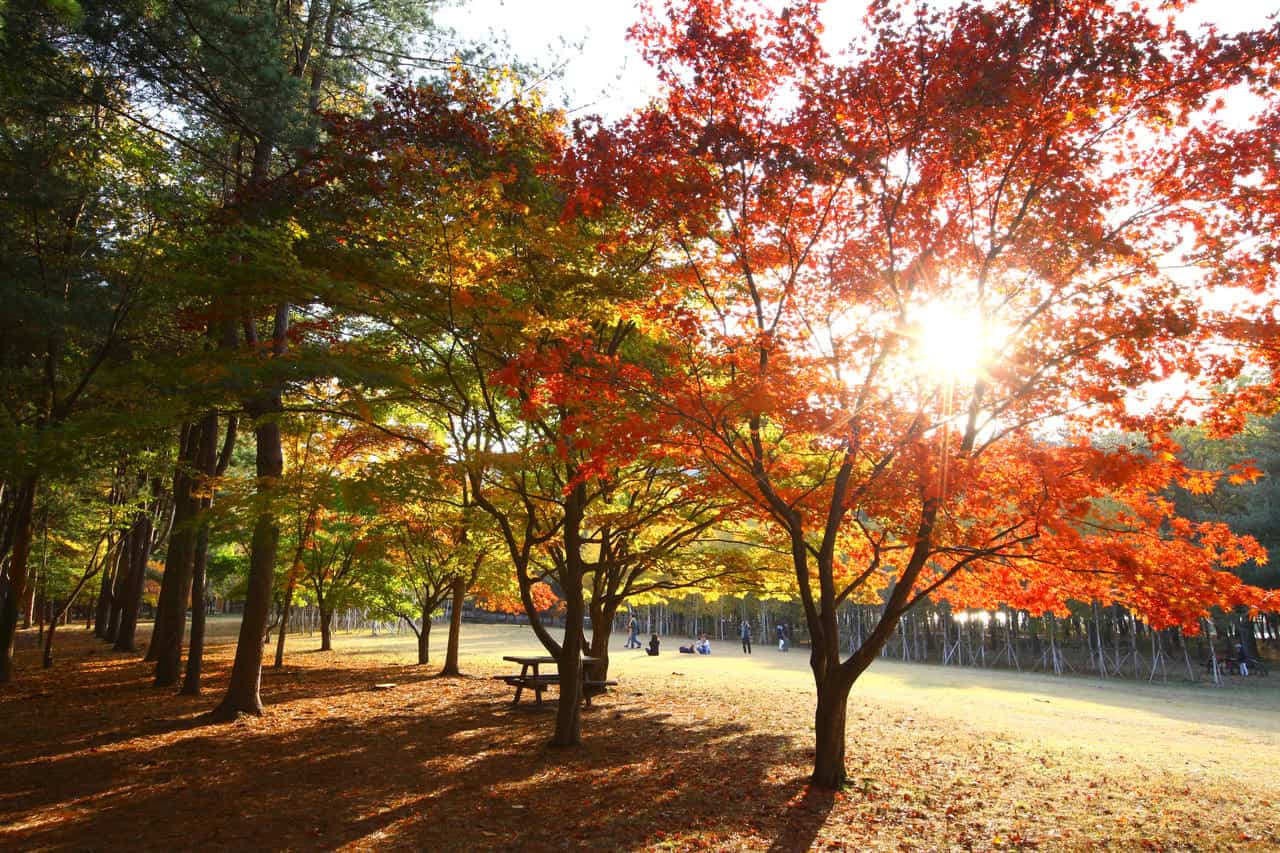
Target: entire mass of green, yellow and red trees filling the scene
980,309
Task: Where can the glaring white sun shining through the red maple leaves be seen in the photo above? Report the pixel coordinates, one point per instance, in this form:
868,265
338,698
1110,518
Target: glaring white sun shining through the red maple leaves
952,343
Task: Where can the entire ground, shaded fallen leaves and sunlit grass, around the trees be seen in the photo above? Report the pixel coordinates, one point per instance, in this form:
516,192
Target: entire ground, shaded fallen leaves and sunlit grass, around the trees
687,754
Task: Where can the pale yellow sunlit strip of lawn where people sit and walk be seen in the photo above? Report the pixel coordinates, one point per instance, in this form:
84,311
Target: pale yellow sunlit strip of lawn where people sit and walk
1190,728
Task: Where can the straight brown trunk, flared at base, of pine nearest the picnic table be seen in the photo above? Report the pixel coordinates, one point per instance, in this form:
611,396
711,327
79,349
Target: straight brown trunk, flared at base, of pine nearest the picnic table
243,694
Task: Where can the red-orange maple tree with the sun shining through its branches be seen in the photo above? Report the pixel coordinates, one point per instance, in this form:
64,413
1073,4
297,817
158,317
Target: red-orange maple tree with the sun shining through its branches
908,282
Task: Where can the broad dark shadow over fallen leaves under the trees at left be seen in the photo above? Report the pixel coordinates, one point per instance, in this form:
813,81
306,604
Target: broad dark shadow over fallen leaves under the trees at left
473,773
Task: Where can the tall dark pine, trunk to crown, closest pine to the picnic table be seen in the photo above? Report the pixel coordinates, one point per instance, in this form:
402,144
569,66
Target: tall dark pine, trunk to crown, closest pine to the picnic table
252,79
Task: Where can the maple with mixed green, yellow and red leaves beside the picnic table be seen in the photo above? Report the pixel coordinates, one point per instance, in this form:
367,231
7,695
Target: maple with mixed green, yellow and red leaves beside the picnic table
505,309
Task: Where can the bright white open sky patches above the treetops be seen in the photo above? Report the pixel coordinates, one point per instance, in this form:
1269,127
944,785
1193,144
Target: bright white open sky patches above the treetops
605,74
